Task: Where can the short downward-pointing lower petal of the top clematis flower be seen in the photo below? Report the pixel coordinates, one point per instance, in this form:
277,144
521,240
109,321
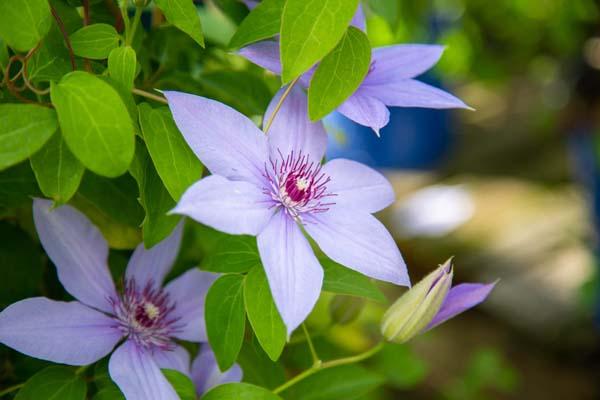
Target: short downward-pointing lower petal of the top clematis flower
366,110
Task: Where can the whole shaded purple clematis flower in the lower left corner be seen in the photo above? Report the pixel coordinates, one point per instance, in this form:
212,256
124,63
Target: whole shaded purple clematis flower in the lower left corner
147,316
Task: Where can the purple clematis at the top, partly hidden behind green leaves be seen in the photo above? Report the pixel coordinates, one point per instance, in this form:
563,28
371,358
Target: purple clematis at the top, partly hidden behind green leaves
389,82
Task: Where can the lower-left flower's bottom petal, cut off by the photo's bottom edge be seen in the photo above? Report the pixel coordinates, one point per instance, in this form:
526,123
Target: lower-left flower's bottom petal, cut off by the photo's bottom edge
135,372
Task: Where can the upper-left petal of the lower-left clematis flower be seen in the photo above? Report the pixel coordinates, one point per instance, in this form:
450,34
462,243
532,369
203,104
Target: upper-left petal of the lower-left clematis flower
79,252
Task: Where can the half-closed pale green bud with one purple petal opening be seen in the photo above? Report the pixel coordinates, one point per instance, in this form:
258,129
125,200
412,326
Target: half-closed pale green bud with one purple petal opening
430,303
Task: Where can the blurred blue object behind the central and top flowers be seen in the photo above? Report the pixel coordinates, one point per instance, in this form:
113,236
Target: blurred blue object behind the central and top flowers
415,138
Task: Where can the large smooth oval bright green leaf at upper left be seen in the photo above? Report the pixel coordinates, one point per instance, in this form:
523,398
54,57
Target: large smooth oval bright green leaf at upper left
95,123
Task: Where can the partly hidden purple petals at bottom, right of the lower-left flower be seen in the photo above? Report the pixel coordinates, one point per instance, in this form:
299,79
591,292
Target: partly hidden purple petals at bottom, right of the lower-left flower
206,373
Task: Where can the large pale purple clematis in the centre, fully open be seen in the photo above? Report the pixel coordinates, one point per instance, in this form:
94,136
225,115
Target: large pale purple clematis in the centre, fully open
274,187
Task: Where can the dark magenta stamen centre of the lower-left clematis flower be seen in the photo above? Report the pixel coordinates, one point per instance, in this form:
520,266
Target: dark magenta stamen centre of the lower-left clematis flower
145,315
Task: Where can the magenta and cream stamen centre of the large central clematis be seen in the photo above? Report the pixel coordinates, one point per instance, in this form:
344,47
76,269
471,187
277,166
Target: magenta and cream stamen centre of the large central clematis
298,185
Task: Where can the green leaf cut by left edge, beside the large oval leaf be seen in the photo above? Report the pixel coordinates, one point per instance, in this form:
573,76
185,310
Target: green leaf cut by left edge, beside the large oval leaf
24,128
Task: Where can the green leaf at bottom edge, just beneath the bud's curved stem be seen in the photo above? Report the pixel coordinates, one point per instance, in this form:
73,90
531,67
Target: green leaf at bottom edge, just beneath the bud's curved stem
345,382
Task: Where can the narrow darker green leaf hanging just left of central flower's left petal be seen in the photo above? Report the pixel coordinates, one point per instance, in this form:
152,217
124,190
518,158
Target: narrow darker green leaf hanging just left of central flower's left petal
154,198
